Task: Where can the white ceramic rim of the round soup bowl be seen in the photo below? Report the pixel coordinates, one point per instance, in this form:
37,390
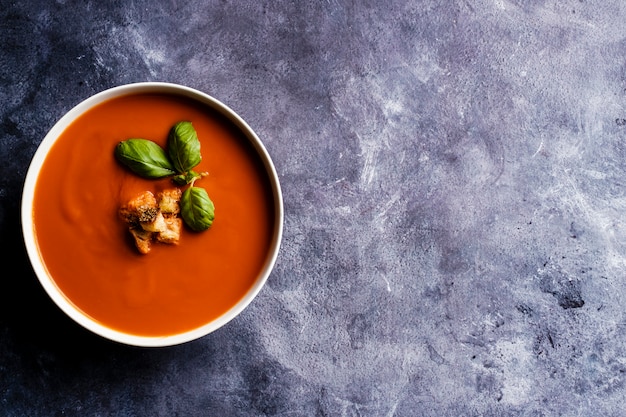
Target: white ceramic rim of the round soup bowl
30,240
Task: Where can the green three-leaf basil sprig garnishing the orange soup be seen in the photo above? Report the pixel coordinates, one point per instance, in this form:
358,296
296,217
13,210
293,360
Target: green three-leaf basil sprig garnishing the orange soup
148,160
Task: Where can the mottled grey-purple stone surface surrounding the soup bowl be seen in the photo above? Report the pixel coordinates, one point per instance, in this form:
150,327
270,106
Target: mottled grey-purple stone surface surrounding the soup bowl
454,184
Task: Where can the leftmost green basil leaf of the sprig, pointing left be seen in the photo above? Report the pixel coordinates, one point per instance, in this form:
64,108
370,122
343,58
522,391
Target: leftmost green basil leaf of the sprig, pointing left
145,158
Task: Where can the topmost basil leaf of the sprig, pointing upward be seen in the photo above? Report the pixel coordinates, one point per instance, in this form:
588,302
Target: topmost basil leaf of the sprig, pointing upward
183,147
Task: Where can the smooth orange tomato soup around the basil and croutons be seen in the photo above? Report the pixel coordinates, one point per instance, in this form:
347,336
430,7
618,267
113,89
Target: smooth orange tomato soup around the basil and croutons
88,250
